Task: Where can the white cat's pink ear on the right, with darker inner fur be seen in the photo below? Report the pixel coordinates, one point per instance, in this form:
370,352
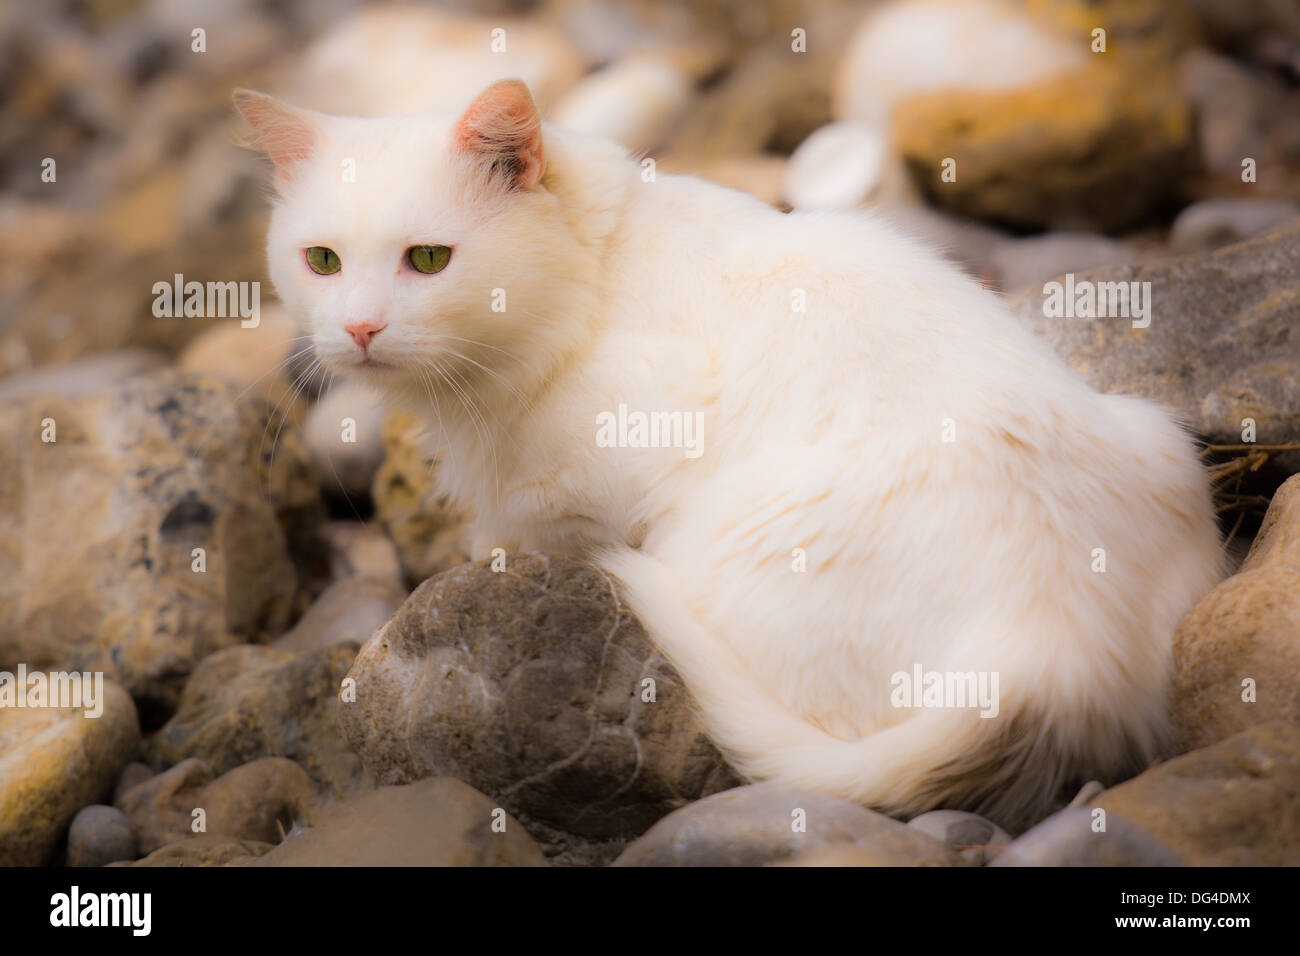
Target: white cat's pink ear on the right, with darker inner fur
504,129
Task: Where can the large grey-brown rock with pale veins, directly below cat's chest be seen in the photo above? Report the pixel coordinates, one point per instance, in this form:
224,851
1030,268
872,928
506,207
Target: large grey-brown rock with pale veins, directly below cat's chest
532,686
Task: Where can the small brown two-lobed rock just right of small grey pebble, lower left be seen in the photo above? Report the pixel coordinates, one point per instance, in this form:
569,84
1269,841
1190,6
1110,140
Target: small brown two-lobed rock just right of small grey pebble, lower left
259,802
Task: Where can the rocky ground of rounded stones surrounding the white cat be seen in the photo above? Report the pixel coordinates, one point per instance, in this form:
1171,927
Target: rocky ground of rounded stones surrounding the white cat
336,685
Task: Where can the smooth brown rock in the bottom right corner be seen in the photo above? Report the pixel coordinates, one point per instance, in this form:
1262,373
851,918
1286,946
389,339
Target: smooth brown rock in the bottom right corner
1232,804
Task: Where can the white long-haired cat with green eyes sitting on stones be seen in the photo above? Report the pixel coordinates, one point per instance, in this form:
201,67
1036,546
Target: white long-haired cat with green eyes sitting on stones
892,478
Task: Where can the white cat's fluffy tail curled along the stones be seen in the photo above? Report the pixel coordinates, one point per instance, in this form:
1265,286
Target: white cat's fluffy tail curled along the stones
904,769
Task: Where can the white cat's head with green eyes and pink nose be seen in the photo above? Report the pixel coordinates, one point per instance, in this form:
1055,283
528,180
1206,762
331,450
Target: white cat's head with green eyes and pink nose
415,250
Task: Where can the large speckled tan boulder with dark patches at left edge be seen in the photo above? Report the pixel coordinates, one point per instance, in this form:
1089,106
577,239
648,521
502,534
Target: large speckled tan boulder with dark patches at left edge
98,569
